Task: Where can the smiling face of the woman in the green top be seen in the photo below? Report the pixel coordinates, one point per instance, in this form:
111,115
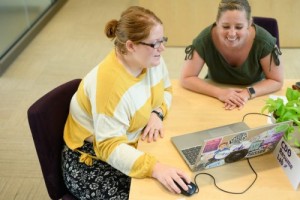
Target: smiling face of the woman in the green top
233,28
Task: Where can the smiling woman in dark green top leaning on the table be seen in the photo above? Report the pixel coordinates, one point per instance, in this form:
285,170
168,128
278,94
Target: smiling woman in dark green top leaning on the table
236,52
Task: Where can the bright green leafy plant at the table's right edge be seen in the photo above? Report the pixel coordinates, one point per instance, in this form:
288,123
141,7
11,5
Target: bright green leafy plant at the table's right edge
288,110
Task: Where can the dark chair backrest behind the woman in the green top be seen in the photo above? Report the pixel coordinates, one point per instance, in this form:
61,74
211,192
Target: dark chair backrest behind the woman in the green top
270,24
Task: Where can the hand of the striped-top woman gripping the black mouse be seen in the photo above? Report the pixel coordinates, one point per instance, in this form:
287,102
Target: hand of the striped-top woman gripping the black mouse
167,176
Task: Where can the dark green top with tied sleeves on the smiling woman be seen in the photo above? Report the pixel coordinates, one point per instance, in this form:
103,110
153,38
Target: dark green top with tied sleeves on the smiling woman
220,71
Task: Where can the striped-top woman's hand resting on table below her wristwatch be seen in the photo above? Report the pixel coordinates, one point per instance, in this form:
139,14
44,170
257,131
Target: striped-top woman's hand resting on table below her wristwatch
153,129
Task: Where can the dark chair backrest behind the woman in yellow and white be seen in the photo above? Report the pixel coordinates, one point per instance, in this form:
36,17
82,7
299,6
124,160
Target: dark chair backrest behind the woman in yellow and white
47,117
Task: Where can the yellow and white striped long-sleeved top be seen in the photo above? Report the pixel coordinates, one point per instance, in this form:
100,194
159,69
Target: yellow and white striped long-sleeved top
114,107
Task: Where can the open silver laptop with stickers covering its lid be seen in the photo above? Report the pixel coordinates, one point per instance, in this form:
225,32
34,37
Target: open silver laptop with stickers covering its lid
227,144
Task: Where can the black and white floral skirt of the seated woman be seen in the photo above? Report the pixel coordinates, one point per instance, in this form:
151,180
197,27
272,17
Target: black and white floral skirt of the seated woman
99,181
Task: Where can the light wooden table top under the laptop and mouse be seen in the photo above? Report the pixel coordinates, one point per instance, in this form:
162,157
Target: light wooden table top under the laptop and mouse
192,112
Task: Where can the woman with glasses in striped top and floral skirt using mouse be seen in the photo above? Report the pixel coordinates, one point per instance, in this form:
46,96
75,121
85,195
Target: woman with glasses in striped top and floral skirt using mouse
123,98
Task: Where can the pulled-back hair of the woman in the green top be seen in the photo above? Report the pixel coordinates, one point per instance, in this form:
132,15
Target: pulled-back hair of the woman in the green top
225,5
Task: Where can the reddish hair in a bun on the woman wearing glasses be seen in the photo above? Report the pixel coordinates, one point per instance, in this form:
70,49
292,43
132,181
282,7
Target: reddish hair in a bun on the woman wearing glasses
134,24
